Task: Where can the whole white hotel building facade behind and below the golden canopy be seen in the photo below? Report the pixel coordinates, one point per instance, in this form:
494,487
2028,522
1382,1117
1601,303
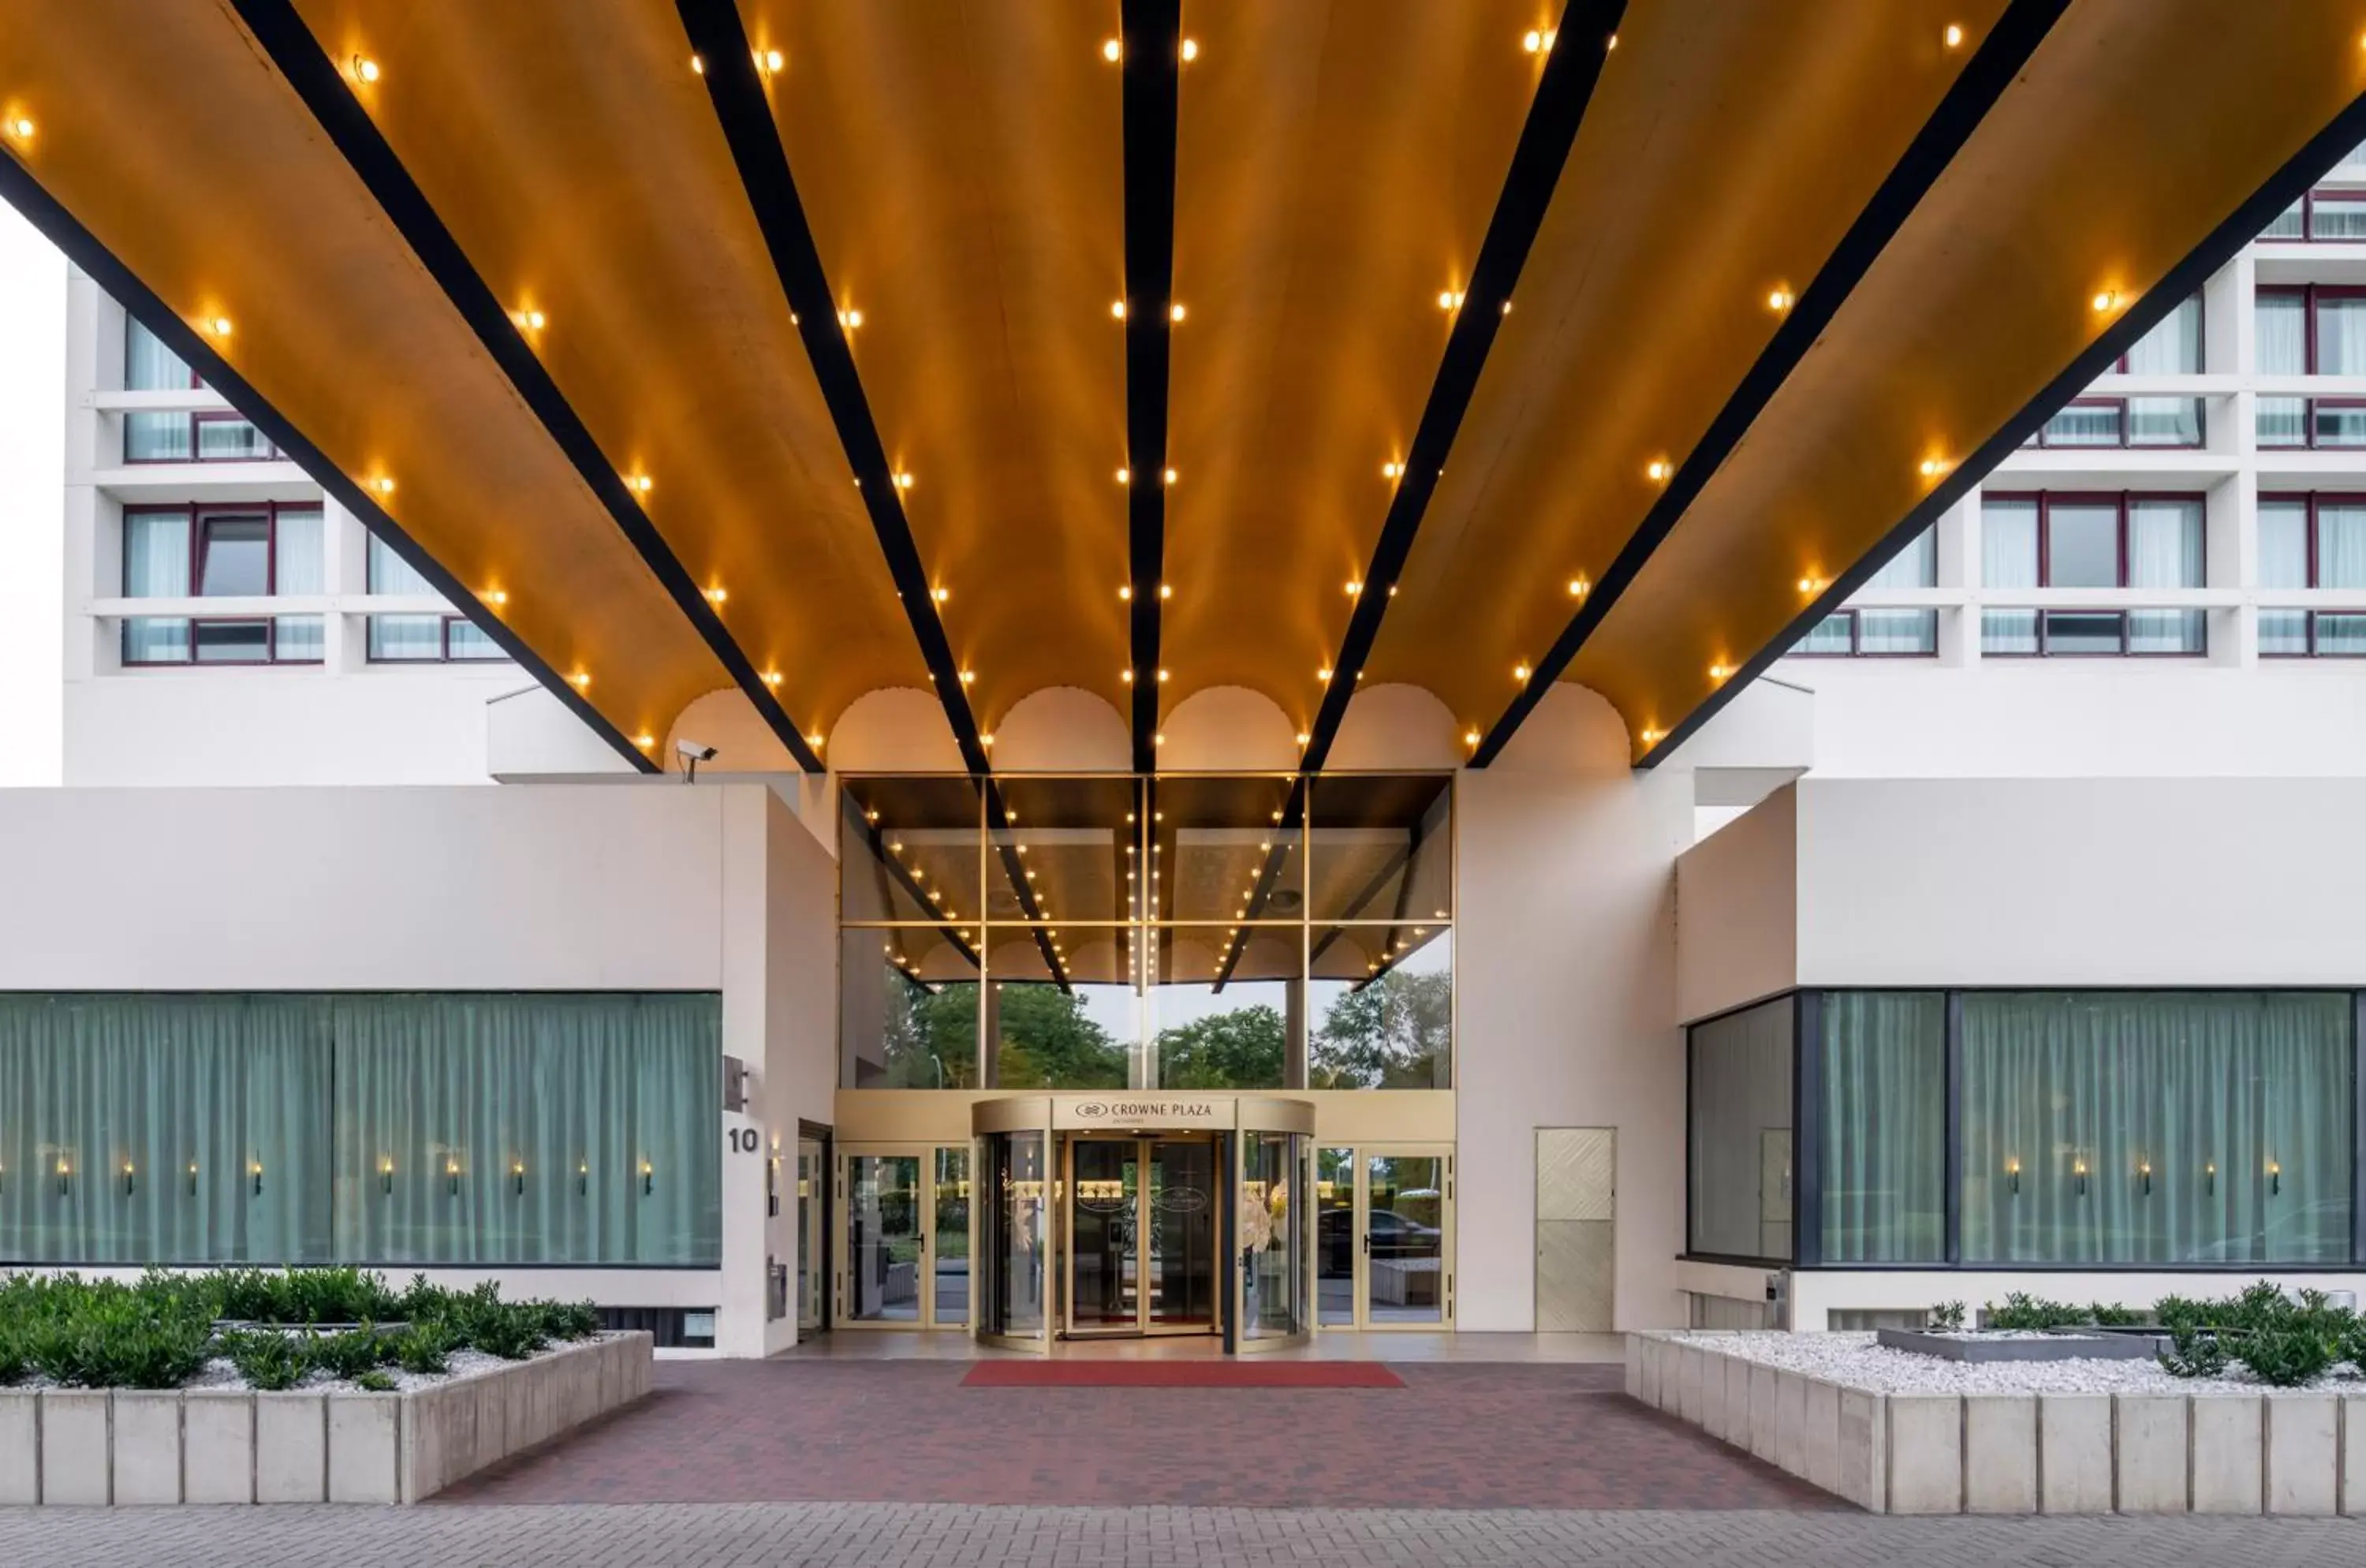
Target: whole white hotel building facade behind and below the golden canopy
2079,775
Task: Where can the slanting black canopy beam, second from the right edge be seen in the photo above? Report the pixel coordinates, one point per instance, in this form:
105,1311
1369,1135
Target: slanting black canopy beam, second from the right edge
1960,112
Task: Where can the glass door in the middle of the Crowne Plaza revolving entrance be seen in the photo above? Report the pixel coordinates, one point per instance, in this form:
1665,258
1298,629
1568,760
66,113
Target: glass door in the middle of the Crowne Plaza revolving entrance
1142,1236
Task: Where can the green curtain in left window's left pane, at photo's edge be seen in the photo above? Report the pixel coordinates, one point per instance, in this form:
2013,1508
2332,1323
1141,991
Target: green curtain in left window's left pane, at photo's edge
164,1129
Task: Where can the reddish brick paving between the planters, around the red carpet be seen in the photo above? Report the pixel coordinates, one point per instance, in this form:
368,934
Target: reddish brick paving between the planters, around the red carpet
1456,1437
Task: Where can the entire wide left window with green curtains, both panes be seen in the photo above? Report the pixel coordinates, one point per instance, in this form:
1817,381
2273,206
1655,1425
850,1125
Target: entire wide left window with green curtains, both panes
361,1129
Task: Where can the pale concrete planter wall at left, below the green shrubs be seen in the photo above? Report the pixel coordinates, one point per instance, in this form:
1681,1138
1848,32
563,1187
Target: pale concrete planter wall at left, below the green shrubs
212,1446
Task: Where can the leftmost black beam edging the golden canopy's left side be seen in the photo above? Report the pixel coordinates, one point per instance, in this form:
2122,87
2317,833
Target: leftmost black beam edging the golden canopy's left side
84,250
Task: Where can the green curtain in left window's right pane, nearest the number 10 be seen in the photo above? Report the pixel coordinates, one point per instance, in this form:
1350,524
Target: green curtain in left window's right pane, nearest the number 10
529,1129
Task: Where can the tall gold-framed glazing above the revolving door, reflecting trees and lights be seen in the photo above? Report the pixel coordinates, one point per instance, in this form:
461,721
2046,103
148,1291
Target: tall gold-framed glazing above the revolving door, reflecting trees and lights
1146,933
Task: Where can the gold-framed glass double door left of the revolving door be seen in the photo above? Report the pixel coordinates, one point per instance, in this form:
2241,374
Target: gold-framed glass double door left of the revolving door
905,1245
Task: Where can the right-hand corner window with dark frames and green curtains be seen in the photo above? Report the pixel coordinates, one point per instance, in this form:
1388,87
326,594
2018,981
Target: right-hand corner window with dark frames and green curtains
2102,1129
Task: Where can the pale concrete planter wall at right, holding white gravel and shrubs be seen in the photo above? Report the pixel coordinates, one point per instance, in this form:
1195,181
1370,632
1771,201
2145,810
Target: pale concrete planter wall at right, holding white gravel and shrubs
2000,1453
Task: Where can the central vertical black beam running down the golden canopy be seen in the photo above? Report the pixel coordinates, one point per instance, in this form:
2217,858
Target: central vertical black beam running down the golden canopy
1153,63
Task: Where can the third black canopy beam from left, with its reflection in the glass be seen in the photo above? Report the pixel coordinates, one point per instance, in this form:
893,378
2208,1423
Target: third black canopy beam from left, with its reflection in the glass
737,91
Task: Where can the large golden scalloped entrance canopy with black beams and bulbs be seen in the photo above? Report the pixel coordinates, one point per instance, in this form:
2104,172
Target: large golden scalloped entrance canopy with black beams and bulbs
813,349
